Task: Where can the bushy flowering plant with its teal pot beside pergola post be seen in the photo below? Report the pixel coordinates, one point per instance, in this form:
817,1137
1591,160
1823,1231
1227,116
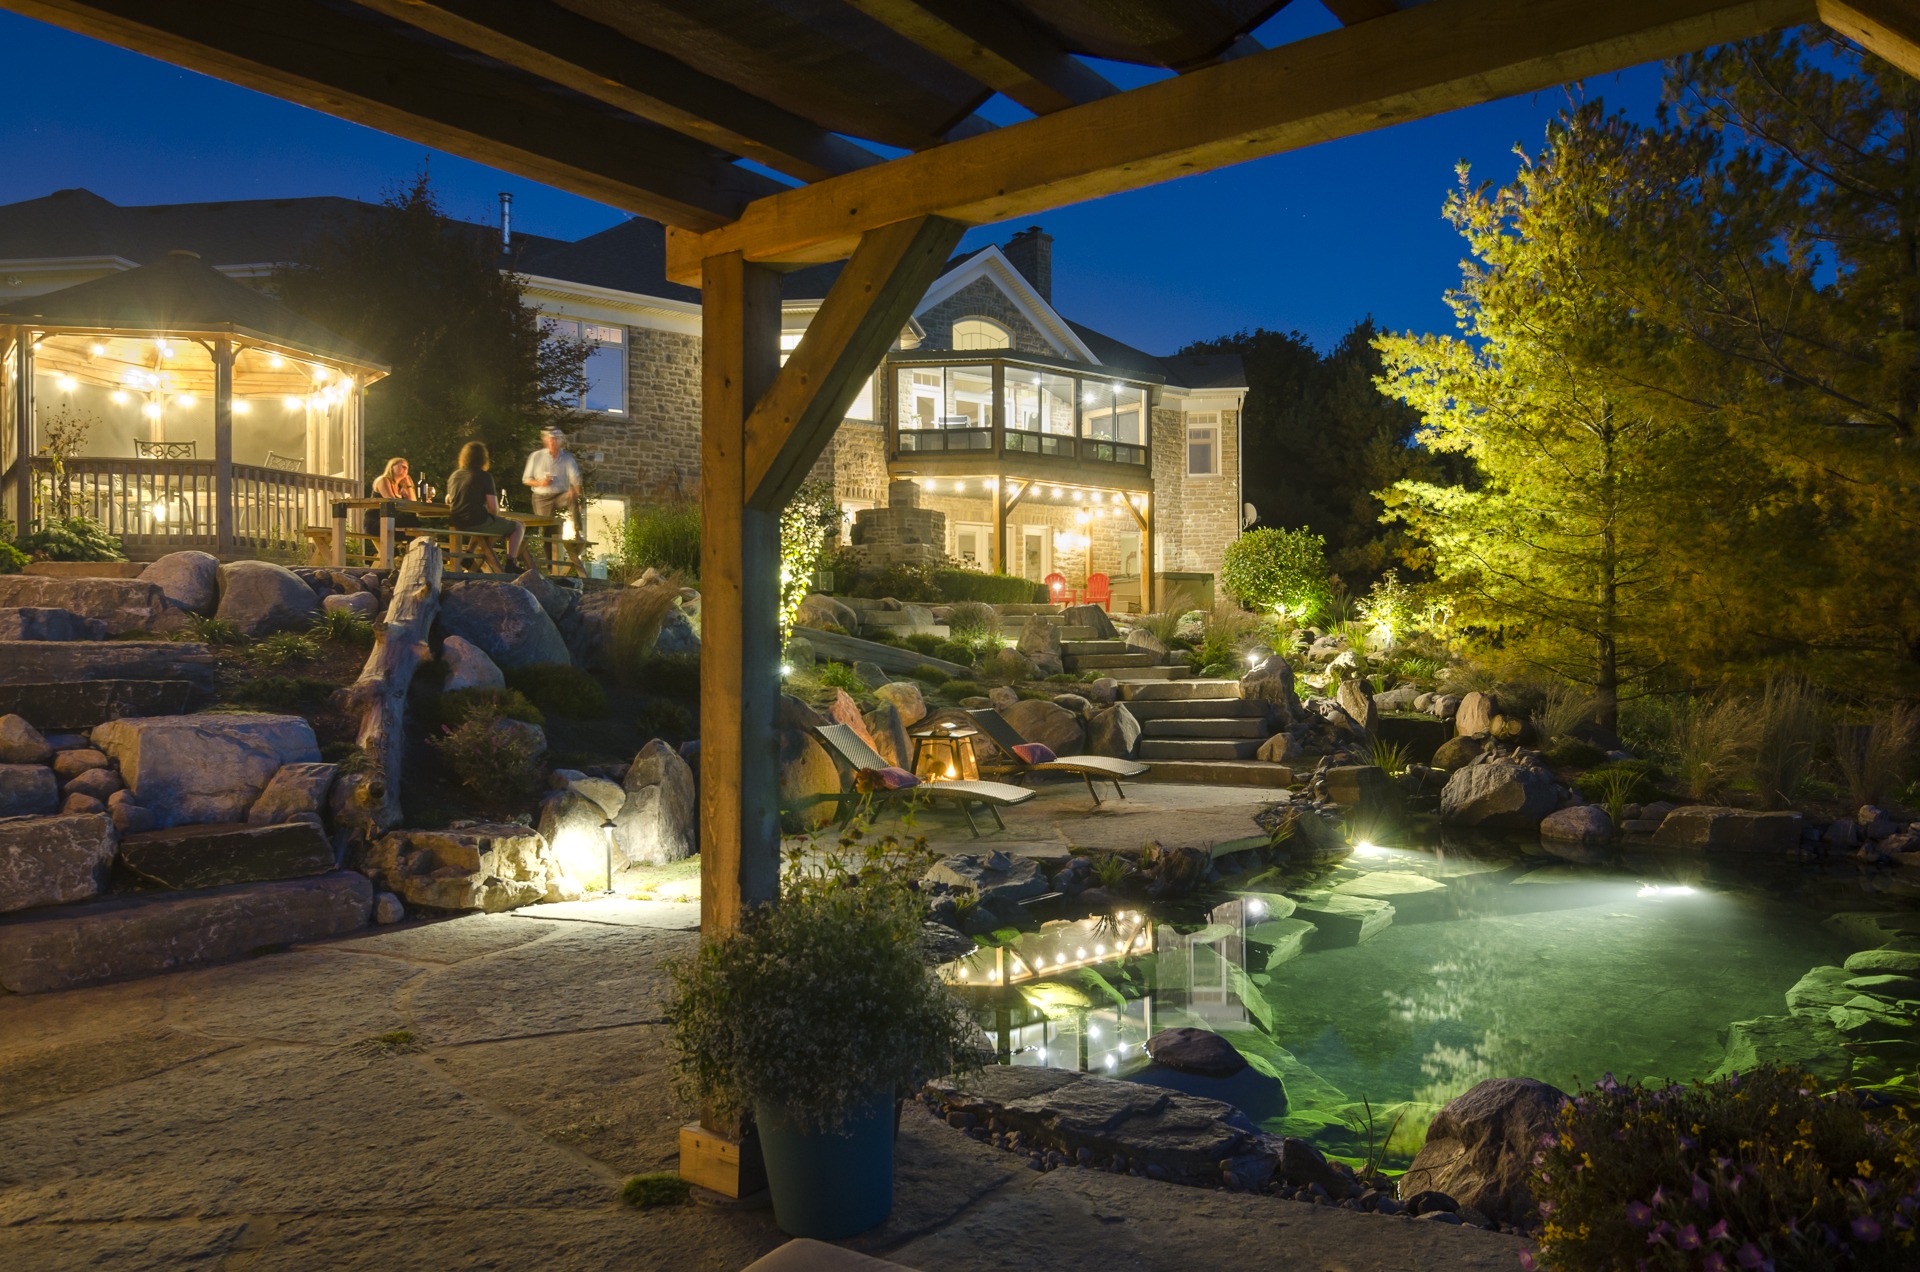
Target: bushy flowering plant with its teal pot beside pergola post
813,1017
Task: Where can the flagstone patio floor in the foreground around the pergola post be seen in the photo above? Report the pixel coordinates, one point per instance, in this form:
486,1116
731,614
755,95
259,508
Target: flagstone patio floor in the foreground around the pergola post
471,1094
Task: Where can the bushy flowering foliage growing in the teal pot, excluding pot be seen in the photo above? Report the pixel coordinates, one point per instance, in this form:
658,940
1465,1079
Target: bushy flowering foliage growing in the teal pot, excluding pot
821,1000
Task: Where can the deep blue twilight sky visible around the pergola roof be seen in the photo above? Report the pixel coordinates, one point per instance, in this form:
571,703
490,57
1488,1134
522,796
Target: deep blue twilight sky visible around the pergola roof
1308,241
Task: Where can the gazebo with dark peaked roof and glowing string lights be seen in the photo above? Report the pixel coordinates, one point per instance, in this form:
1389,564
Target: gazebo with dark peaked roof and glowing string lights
180,410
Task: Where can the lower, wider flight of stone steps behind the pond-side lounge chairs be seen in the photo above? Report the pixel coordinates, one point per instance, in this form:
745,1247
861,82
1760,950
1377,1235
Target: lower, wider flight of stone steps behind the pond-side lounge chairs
1203,731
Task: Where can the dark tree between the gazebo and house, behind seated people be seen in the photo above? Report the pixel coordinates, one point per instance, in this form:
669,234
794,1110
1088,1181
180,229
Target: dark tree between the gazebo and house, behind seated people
469,360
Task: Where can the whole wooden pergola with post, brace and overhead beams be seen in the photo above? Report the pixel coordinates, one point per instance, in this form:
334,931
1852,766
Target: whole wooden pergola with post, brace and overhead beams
867,112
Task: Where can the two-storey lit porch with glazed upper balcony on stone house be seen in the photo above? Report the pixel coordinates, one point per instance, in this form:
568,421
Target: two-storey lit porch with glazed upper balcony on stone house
1044,468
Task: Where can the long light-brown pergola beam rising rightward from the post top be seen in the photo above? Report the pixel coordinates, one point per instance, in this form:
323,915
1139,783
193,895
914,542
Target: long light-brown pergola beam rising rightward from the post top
1412,64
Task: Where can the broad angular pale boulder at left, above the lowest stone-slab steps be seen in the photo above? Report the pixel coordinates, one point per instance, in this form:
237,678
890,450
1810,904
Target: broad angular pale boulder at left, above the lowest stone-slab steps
204,768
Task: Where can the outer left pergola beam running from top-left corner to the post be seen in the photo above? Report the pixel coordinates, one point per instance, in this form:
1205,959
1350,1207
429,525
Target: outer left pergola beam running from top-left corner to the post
314,55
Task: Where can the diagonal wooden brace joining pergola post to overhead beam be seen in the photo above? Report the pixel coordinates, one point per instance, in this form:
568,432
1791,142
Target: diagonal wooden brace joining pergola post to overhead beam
853,330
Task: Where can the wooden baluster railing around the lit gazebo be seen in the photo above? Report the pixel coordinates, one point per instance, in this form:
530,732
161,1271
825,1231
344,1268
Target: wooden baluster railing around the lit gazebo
170,504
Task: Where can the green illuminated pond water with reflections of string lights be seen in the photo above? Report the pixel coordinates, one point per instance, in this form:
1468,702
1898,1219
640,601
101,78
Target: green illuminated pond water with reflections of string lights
1403,977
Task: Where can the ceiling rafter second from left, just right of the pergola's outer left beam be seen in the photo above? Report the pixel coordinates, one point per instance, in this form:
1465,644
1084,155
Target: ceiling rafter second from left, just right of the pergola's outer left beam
598,62
